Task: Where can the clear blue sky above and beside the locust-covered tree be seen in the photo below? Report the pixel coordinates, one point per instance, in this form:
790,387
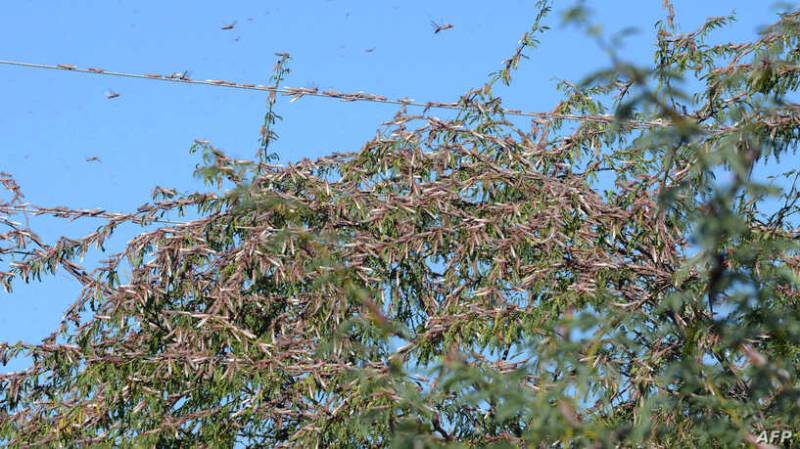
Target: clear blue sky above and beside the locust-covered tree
51,121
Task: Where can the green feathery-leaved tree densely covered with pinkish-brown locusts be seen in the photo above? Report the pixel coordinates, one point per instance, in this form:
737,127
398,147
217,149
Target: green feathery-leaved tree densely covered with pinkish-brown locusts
597,280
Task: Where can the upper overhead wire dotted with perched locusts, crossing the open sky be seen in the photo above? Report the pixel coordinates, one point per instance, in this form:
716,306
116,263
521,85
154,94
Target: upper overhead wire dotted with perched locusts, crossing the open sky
298,92
